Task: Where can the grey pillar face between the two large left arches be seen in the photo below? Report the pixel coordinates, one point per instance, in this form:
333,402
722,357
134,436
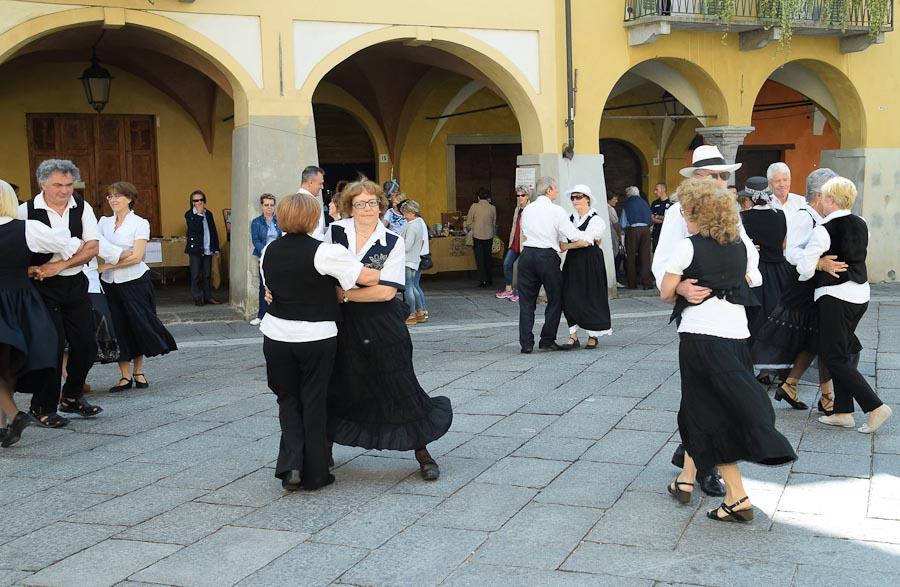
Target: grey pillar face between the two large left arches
268,154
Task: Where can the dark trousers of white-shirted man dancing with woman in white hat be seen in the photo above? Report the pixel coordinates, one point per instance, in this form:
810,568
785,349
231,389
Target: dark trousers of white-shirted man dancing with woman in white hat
539,267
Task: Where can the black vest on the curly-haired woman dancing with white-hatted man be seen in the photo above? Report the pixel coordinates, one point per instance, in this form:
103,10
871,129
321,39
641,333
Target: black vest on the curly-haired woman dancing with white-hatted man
721,268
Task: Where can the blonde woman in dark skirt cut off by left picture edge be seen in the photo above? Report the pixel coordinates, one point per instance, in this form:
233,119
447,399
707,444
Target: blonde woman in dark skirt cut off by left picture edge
25,345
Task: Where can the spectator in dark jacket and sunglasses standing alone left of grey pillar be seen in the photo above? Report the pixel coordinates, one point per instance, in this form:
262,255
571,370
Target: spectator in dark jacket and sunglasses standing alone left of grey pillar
202,246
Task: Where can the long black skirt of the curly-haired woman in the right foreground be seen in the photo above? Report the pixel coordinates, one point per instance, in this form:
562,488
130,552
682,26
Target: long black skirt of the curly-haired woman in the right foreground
725,415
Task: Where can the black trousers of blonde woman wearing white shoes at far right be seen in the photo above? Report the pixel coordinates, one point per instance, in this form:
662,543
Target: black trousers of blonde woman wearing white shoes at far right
837,326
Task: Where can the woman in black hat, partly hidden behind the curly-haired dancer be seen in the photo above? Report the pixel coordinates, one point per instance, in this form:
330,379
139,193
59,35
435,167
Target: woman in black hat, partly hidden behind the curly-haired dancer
767,228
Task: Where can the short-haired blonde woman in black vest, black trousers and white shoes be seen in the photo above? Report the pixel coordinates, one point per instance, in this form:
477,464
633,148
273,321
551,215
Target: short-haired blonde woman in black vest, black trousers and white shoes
842,300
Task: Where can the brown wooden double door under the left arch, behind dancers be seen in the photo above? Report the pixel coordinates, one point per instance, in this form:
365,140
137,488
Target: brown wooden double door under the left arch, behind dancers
106,148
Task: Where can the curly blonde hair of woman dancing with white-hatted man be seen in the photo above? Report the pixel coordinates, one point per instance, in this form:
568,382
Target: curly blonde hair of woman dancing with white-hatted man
706,203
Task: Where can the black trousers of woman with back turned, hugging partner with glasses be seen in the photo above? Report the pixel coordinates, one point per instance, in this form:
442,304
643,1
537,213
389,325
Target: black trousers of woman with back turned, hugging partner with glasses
298,373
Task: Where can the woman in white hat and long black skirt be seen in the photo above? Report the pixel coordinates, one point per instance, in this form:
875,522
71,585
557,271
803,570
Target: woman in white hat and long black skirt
585,293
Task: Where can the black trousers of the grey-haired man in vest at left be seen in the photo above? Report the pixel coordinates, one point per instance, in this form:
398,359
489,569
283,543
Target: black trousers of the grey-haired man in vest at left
69,305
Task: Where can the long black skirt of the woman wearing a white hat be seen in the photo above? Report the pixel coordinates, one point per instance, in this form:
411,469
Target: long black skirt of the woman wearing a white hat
585,292
